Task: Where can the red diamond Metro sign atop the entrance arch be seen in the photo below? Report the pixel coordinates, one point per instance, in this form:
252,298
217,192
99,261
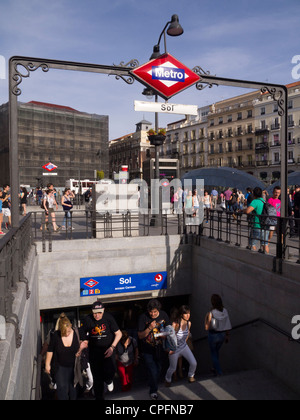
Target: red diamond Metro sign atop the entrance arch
166,75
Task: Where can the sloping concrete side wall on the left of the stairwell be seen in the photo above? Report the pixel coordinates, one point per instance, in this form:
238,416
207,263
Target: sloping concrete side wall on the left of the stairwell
17,366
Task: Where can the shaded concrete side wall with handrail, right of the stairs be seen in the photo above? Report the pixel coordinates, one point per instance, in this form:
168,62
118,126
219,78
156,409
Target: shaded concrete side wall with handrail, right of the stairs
249,290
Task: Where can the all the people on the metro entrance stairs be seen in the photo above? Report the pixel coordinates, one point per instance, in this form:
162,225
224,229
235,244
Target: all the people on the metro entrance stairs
88,358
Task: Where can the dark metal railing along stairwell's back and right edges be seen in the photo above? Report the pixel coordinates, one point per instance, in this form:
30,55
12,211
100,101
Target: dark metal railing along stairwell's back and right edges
236,229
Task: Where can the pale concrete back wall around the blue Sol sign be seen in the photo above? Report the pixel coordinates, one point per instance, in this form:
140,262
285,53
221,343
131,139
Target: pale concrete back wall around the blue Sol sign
61,270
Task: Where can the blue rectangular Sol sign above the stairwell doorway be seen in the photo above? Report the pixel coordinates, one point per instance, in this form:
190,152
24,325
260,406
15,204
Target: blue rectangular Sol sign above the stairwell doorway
129,283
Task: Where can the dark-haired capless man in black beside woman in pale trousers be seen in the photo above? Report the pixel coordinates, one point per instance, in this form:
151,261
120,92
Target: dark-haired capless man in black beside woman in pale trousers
150,324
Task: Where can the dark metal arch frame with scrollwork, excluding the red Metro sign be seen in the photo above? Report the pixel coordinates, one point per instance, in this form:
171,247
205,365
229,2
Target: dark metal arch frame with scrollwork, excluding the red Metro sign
21,68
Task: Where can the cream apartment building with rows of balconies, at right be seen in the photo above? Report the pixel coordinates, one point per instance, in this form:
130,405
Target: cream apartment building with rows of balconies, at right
241,132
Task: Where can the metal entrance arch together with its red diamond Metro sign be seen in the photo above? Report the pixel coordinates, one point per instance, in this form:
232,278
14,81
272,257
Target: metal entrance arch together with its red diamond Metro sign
21,68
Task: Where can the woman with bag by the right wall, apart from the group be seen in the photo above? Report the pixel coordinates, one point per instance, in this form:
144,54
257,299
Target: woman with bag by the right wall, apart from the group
218,325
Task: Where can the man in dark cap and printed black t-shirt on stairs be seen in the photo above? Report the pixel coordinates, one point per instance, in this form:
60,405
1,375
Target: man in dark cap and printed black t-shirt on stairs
101,334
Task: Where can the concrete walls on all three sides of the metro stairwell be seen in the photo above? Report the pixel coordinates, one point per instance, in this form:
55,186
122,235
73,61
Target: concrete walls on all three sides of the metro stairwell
245,281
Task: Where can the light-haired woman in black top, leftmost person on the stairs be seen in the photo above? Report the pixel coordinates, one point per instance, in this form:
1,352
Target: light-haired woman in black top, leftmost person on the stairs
63,348
